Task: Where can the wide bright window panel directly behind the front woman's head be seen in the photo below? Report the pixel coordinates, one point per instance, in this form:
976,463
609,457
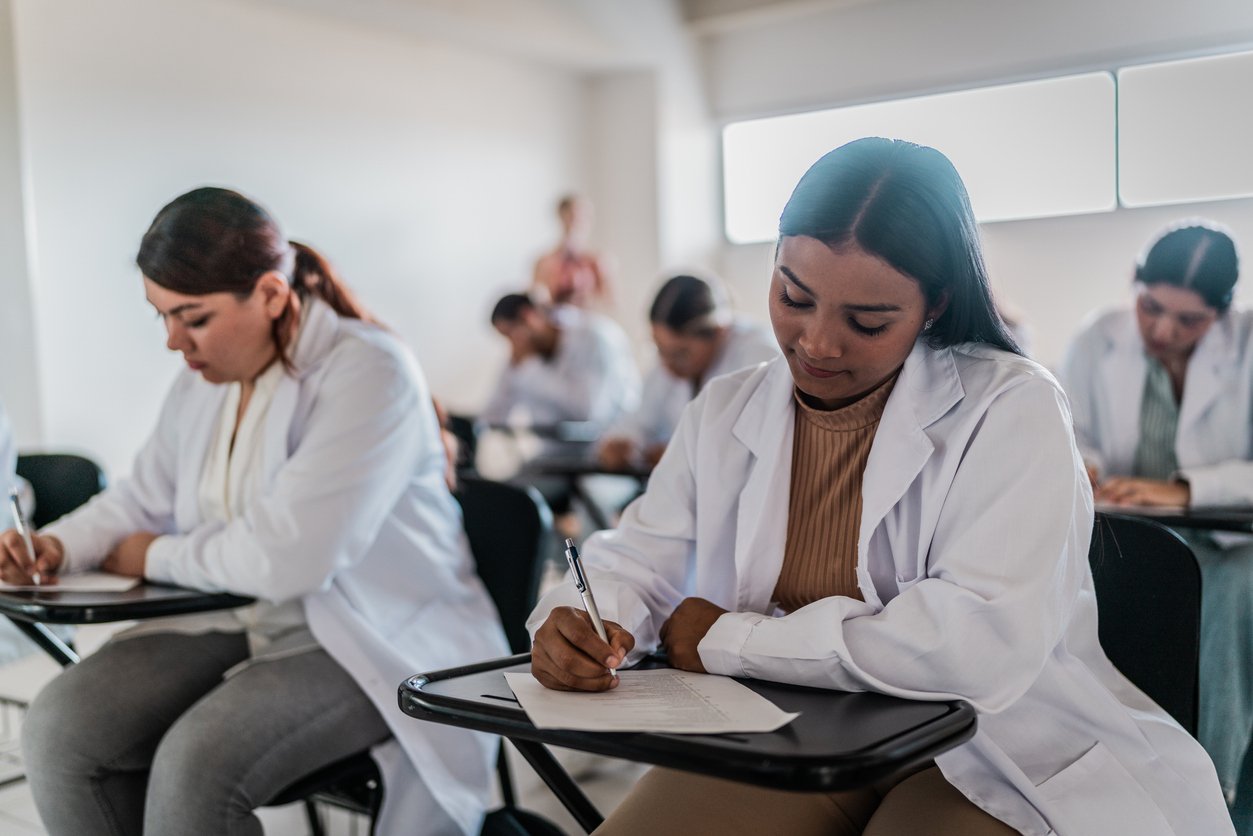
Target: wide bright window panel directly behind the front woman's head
1026,151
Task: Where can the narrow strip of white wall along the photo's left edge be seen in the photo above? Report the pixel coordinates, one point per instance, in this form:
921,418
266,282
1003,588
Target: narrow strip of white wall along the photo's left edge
19,368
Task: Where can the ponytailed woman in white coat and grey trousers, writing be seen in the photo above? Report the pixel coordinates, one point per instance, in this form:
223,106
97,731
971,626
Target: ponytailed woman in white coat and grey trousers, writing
298,459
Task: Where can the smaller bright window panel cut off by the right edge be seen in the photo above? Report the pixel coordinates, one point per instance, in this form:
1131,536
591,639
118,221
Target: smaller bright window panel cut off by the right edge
1185,131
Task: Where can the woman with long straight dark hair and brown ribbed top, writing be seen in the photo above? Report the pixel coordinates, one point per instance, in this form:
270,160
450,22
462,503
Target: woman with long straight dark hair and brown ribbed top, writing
918,525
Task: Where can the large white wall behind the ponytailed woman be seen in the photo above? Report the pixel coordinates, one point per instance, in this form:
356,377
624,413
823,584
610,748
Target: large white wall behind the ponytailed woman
425,172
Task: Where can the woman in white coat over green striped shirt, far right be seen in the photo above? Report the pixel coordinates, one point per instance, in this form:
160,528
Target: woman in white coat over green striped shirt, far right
1163,402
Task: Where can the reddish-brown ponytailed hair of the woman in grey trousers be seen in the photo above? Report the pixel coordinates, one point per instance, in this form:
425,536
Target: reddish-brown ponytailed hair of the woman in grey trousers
214,241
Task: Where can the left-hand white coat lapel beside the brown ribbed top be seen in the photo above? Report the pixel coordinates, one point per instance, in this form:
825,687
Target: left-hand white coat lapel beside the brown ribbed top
765,427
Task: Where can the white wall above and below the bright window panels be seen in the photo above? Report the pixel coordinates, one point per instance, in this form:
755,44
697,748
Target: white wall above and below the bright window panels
1054,270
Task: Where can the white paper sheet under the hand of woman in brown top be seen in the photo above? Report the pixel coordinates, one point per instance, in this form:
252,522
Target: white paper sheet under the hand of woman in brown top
652,701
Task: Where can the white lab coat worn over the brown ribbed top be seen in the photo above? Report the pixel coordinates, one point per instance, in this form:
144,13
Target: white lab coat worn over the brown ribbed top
973,562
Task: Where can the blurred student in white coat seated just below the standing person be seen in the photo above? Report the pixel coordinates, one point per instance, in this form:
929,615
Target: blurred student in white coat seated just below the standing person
566,365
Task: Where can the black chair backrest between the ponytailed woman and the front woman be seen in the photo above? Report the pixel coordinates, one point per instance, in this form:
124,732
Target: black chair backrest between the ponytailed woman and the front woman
511,536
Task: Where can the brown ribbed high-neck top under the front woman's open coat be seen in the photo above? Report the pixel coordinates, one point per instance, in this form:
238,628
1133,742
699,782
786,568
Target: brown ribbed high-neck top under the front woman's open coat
829,458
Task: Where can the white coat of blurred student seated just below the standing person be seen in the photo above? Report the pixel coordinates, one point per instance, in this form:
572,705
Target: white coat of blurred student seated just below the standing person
591,378
